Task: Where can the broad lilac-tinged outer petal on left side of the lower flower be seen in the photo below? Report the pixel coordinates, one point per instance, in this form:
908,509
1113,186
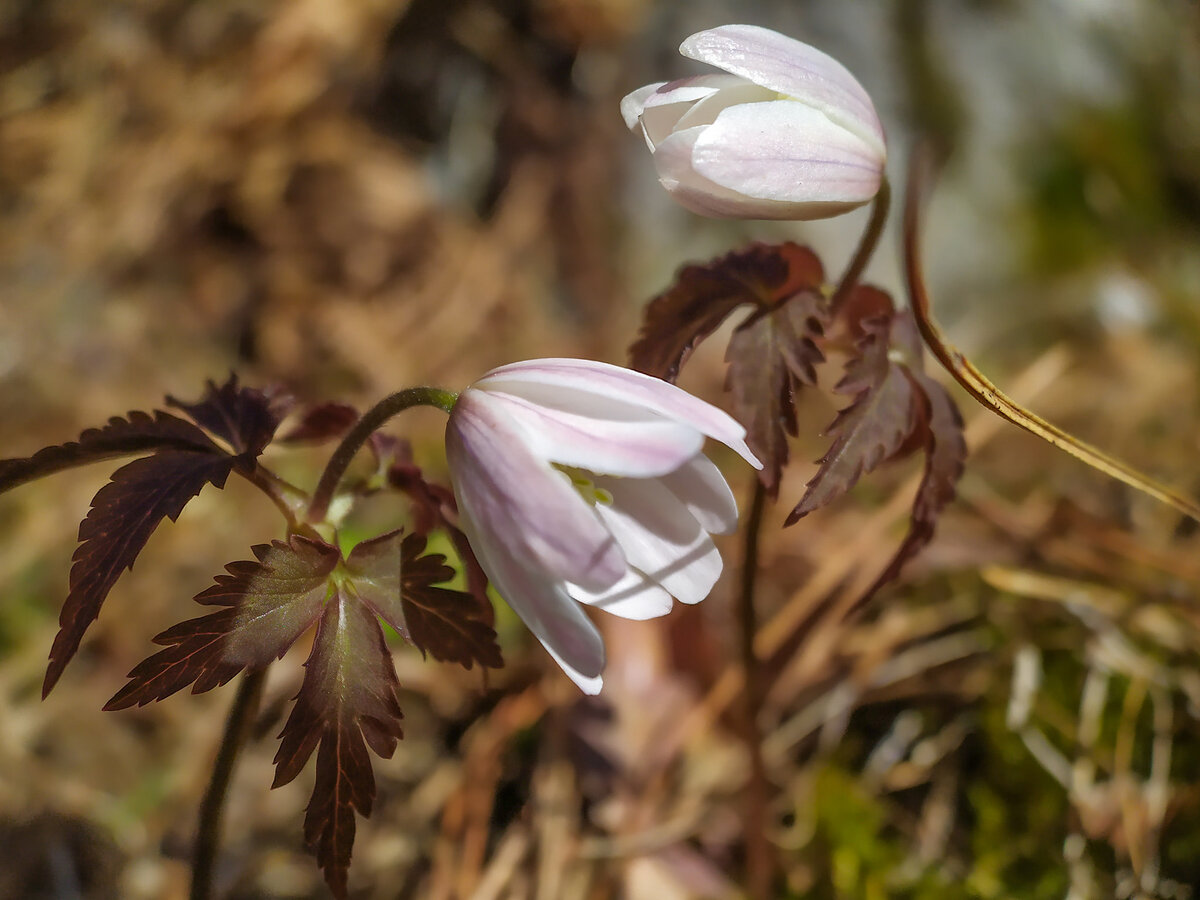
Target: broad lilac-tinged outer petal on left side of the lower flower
518,501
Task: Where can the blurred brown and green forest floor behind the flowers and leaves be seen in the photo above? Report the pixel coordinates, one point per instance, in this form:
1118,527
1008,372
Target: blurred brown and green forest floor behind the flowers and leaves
347,197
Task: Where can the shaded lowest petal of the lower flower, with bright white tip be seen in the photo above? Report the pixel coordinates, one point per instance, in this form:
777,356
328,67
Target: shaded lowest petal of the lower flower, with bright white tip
547,609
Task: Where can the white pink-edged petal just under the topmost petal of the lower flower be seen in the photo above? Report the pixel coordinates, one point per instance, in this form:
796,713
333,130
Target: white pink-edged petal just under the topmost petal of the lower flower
635,449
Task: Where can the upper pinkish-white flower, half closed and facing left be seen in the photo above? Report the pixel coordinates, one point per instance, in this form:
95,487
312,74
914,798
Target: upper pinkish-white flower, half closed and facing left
789,134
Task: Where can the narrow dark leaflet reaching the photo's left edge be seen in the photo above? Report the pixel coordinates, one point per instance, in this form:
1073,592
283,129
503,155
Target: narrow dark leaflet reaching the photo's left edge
137,434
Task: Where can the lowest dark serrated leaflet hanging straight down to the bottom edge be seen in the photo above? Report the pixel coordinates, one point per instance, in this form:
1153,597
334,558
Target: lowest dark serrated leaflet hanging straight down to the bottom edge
346,704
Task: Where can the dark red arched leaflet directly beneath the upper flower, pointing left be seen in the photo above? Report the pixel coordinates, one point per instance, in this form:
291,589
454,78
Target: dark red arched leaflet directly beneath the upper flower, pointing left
704,296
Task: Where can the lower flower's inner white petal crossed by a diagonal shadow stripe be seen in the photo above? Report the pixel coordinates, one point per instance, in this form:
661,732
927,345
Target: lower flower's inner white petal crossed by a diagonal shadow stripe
659,537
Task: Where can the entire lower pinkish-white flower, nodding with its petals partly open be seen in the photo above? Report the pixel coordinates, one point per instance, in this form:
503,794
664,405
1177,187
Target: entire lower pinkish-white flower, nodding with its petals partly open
583,482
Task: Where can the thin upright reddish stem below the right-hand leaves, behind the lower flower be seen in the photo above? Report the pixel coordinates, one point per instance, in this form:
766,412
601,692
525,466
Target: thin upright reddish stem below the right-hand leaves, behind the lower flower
760,857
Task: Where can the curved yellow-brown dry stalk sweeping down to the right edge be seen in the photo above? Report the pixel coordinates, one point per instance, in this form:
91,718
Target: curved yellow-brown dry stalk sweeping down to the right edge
988,394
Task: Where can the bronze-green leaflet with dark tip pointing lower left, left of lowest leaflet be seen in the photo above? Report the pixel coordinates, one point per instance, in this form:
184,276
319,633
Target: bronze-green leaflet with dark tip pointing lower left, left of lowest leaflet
269,603
